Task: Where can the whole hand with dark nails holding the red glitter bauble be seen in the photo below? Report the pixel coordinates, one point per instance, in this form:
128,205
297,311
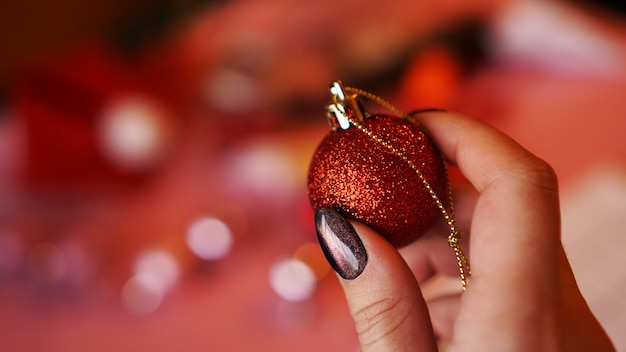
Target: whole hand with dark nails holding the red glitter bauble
522,295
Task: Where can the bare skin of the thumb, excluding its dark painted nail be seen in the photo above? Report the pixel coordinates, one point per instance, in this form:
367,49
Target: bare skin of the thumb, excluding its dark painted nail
385,300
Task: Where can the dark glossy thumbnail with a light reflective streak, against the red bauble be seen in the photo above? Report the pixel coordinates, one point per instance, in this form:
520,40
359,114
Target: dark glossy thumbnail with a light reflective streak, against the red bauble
340,243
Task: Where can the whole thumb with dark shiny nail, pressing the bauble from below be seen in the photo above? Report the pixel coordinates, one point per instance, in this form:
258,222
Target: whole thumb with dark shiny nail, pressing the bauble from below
384,298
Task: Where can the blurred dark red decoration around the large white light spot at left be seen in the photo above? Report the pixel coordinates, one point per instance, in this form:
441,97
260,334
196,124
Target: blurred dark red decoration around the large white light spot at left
62,103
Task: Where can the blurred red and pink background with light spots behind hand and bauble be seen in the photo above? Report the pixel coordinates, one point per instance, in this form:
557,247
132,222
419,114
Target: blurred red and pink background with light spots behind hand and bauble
153,155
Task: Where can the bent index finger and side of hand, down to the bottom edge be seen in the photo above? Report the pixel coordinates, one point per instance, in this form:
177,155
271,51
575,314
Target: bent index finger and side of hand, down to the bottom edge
521,285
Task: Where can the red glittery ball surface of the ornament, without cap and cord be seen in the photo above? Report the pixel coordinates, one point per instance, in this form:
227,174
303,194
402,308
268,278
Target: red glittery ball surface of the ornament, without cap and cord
365,181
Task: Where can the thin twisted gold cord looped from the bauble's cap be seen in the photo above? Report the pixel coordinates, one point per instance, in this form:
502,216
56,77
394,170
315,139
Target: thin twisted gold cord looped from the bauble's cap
454,239
